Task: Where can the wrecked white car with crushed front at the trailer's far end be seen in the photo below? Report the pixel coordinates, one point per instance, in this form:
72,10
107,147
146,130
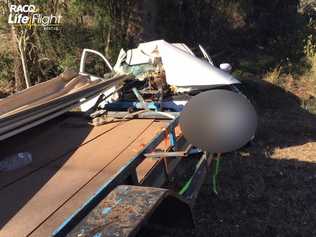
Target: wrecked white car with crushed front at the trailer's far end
166,74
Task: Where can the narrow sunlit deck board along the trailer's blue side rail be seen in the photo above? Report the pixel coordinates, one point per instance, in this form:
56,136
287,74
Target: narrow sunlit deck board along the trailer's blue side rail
87,191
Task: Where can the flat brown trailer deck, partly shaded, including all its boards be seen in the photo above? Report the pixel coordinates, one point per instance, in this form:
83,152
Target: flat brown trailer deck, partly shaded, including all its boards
68,167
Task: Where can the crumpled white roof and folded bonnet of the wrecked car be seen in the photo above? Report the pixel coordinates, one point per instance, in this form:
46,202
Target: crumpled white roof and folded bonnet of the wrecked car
178,64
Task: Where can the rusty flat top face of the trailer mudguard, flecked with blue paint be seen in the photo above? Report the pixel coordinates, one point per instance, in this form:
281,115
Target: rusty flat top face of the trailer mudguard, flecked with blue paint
123,212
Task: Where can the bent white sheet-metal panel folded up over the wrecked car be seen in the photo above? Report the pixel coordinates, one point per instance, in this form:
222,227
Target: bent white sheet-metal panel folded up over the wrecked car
182,67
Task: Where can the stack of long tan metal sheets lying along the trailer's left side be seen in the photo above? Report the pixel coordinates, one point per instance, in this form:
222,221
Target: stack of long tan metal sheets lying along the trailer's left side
48,100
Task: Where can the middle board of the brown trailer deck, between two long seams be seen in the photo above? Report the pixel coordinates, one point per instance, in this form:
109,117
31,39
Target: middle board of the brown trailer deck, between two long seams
30,201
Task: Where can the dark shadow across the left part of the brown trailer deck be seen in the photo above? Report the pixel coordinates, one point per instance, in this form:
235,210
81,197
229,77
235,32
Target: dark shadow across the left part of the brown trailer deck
52,144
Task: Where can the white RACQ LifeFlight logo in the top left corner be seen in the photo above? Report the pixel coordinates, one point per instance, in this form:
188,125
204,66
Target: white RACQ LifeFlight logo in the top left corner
29,15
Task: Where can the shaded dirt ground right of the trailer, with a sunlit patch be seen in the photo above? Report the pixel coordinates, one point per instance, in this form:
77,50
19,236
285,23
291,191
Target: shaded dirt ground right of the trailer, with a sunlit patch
269,187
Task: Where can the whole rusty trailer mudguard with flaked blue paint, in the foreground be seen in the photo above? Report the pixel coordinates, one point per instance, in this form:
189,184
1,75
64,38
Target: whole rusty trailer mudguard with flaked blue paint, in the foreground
124,211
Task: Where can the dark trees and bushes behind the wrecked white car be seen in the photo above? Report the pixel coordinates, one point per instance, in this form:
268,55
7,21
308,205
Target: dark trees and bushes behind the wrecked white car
255,36
